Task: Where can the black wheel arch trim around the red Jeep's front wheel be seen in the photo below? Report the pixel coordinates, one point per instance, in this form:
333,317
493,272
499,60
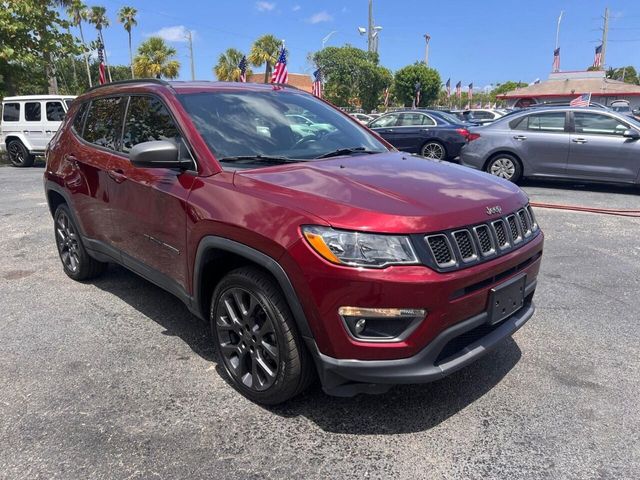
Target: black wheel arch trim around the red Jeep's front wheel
216,256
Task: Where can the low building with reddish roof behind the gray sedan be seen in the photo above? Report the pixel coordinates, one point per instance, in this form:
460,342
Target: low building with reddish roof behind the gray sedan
565,86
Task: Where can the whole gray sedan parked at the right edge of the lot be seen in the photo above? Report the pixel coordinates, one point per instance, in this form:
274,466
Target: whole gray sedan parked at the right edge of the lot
561,142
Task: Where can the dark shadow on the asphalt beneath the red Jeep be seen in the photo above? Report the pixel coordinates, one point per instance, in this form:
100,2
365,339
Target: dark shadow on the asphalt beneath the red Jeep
404,409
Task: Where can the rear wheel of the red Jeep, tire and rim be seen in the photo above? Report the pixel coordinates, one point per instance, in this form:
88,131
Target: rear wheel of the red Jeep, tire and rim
76,262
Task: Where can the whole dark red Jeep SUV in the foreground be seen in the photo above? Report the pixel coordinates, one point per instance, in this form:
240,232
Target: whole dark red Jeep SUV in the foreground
310,249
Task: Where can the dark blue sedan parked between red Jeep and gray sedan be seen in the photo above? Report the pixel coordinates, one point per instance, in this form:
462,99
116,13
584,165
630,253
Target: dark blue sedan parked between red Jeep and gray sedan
429,133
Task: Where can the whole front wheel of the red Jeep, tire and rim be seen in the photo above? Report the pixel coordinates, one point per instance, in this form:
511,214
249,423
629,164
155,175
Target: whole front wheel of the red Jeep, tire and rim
256,339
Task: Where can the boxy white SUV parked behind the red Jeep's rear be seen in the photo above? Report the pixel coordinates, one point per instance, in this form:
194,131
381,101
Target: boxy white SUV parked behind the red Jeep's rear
28,124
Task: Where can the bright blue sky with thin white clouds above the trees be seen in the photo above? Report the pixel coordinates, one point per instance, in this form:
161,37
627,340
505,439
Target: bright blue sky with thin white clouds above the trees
484,42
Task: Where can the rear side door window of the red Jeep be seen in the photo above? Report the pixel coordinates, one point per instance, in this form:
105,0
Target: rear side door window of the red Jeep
103,126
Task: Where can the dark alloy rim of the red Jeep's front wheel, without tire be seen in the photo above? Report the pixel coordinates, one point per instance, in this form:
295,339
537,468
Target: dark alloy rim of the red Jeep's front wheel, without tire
247,339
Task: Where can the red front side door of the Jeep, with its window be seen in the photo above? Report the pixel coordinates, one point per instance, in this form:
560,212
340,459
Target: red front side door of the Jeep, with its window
149,204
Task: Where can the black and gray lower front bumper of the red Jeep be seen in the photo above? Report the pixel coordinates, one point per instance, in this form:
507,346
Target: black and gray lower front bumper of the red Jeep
453,349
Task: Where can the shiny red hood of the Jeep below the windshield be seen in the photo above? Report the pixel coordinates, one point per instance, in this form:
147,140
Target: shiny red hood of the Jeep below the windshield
389,192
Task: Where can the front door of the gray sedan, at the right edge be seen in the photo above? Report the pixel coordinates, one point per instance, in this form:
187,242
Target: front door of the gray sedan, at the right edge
599,151
